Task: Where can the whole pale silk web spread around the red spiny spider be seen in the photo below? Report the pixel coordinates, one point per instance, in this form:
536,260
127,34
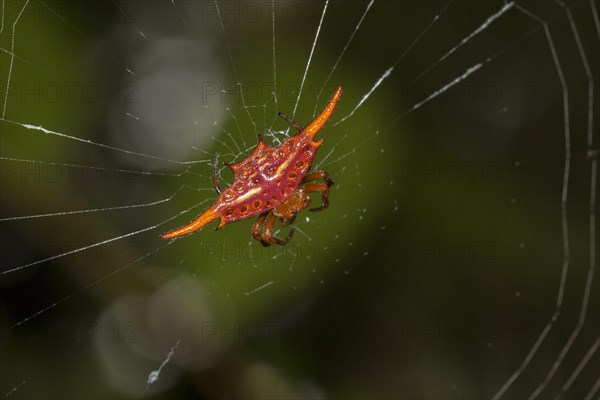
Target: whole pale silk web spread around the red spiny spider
231,141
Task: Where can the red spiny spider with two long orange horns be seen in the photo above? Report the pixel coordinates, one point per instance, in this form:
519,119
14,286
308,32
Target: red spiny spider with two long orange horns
272,182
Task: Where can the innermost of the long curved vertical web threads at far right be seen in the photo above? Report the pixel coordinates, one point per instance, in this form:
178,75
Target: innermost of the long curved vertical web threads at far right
565,232
